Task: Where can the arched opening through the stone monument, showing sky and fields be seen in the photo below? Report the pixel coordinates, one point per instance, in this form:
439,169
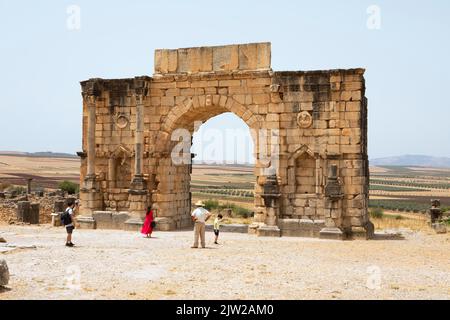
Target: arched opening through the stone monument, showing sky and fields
223,167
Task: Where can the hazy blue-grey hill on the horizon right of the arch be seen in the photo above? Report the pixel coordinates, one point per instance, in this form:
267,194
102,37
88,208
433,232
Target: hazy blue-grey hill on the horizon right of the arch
412,160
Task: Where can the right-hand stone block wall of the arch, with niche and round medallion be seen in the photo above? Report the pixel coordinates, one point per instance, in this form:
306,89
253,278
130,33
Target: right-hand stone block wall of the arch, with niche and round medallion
323,122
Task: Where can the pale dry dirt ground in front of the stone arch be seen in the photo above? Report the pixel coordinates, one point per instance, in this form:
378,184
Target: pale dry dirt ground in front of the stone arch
123,265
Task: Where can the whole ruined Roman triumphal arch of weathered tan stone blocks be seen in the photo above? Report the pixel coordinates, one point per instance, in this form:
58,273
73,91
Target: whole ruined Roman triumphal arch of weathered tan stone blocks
309,130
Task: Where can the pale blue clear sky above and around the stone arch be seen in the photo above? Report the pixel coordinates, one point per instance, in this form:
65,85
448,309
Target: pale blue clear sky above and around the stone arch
407,60
